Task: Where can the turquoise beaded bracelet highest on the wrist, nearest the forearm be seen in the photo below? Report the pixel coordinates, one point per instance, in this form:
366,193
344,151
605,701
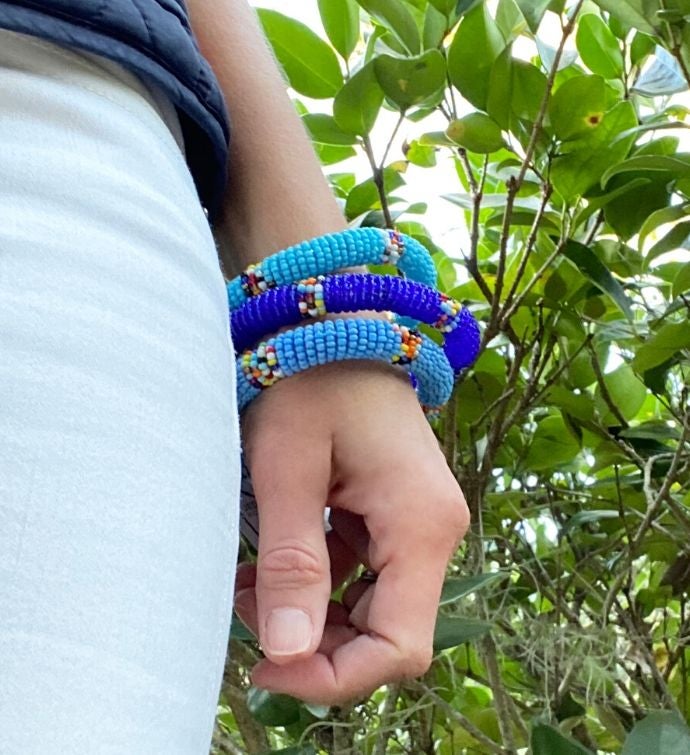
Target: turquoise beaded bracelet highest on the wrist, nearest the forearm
331,252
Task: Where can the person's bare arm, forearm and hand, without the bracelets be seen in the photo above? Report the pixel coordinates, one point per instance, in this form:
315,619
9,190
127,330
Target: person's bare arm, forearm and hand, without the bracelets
351,436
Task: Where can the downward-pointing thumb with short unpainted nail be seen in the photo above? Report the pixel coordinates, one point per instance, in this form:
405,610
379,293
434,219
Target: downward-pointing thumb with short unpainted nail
293,582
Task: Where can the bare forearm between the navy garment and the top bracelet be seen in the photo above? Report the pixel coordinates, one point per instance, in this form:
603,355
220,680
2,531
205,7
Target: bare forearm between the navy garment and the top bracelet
277,194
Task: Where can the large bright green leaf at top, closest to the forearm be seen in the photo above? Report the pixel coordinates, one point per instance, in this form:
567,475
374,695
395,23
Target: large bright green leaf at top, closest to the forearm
309,63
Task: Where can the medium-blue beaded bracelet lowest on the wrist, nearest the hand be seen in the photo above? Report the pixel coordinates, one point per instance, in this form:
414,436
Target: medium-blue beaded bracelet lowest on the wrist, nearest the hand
336,340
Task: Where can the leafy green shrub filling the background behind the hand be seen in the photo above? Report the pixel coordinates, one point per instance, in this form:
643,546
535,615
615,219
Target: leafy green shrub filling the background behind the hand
564,622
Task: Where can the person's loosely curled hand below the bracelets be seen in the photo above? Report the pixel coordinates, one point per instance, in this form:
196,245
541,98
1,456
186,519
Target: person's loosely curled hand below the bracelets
351,436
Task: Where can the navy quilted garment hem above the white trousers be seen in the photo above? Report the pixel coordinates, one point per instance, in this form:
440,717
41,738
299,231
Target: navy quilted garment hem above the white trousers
154,39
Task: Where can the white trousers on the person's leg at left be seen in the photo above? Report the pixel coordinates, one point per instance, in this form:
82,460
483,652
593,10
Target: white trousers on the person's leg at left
119,437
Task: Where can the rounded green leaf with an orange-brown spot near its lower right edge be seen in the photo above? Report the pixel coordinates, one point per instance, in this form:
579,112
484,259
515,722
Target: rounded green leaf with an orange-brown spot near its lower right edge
578,106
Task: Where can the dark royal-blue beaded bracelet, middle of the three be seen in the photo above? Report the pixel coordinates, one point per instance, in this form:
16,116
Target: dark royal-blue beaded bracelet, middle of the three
314,297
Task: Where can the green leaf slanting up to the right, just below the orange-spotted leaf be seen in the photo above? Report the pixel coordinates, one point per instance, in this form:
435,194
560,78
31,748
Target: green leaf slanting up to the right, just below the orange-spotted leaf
582,168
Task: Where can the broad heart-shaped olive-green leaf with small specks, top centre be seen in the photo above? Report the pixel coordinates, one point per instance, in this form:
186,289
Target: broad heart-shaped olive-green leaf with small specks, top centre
409,81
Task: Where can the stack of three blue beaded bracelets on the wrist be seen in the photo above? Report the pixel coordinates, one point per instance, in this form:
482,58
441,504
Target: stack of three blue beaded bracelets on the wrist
300,283
